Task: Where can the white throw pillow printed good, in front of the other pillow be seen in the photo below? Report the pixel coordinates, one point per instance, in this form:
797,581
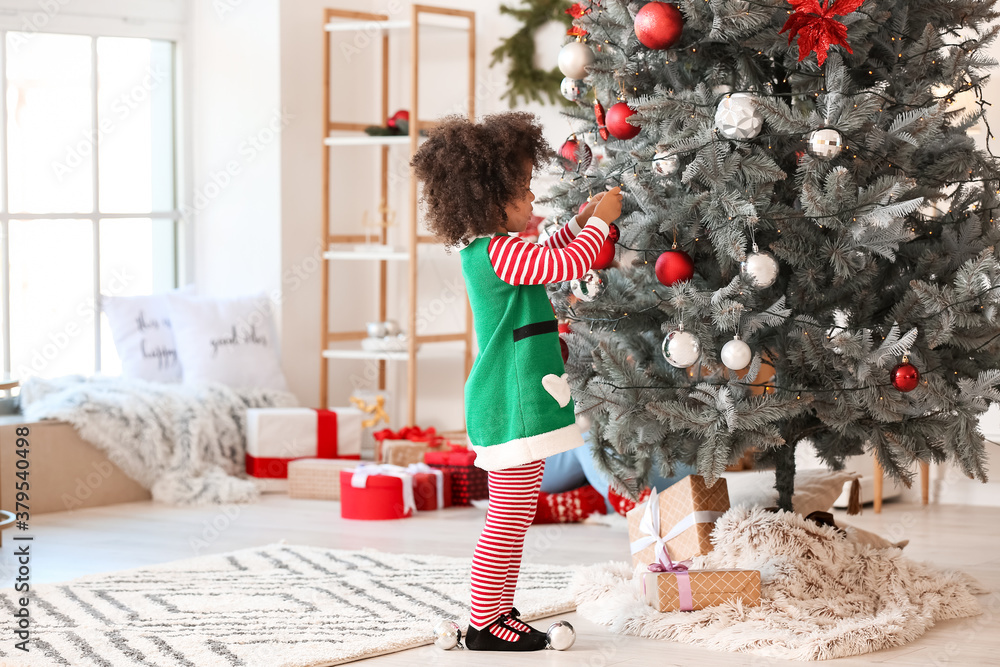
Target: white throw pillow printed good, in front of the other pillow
229,340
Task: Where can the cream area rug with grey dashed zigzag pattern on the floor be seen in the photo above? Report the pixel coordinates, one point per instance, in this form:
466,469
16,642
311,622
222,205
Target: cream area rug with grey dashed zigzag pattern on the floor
273,606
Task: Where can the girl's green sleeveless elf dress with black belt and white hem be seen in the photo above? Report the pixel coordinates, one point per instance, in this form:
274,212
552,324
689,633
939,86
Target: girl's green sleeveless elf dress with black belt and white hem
518,406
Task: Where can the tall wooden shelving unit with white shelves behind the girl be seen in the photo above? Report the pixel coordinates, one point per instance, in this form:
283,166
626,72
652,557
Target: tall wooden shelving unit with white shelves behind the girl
340,345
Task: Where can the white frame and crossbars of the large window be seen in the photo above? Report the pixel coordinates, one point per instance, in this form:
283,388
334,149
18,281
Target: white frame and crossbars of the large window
92,18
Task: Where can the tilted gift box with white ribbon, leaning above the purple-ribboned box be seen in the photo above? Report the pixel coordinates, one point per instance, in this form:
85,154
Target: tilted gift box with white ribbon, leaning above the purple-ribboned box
676,524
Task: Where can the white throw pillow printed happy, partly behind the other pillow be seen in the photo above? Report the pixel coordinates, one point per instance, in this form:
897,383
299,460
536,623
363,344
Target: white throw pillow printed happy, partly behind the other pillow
144,339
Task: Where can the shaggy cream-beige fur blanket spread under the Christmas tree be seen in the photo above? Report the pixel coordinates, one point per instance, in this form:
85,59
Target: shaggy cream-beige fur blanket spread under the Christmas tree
822,596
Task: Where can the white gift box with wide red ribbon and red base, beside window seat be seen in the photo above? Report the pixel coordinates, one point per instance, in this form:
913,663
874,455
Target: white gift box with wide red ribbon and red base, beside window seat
277,436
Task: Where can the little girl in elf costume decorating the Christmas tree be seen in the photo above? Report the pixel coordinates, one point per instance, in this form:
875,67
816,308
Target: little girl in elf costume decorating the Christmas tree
518,407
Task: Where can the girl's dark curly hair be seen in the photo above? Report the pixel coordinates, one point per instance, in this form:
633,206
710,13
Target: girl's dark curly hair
471,171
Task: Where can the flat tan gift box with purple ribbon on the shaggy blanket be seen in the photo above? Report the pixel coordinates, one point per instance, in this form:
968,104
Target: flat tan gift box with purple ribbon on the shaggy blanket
696,589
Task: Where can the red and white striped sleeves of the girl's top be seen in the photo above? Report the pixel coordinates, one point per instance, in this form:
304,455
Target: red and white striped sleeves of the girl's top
566,255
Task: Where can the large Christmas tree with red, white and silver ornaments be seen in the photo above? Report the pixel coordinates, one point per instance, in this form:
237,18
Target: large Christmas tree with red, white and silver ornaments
808,246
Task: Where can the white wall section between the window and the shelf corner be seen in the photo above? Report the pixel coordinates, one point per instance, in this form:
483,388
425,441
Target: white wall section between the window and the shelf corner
233,204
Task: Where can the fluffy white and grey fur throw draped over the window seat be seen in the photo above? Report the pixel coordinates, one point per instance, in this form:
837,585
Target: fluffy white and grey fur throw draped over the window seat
186,443
